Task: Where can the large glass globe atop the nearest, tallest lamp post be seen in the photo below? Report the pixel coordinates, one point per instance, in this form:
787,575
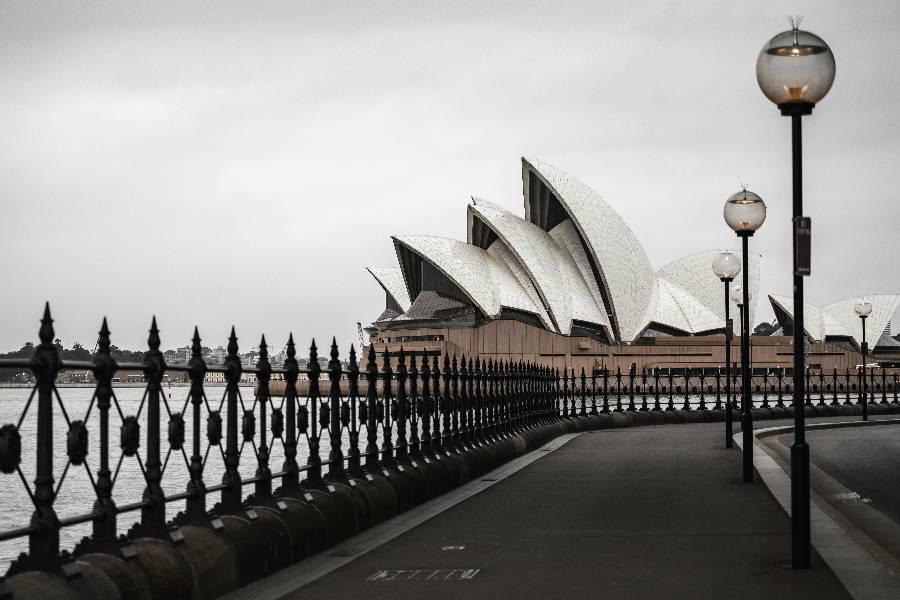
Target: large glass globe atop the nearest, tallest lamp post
795,69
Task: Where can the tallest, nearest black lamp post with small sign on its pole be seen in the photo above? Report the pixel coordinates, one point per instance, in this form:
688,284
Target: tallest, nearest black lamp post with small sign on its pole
795,70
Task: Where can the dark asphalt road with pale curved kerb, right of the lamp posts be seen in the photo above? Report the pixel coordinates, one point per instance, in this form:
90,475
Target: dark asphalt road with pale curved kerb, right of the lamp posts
856,528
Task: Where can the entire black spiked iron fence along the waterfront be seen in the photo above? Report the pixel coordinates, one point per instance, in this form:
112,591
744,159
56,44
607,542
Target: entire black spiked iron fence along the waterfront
355,420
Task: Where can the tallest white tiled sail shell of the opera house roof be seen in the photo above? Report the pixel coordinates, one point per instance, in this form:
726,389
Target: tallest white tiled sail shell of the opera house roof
624,268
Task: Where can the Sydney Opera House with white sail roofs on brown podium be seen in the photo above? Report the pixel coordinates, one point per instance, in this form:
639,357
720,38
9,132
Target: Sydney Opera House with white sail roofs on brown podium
568,284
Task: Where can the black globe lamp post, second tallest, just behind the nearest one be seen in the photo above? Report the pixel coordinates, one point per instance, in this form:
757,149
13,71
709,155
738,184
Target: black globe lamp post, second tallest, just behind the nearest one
745,212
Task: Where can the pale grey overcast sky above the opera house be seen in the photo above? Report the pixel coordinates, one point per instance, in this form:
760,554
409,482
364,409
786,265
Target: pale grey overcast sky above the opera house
219,163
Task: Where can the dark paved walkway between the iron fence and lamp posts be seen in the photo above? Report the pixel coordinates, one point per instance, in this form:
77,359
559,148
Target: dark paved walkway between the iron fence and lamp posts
645,512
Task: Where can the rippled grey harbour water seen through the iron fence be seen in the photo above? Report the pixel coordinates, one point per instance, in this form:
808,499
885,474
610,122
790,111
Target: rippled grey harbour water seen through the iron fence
75,492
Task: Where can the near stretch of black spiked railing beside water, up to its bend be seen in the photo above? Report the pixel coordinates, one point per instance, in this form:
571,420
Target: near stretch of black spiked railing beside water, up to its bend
415,410
